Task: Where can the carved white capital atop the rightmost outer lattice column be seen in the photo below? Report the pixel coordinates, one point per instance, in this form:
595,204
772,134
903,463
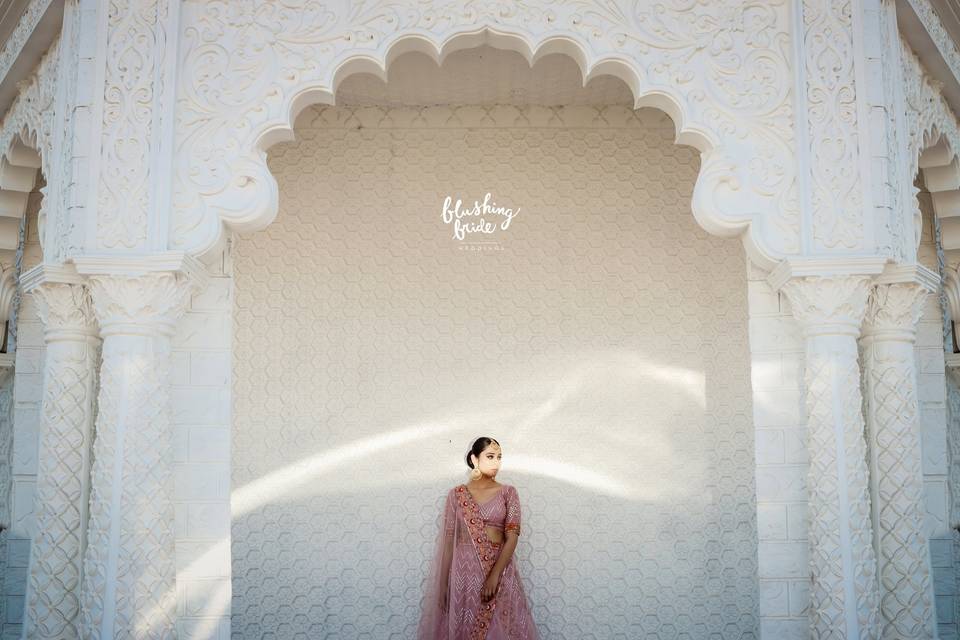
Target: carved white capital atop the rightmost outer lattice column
896,302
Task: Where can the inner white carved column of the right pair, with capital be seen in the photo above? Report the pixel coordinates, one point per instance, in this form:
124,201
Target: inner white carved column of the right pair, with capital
843,591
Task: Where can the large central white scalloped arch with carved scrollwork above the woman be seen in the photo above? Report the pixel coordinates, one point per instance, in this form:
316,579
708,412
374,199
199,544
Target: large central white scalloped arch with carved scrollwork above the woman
720,70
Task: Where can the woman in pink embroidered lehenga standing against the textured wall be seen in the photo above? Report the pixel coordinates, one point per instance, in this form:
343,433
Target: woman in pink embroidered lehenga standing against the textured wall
473,588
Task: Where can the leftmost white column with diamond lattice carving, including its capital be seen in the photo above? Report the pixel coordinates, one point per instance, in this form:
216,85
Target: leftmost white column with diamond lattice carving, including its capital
63,475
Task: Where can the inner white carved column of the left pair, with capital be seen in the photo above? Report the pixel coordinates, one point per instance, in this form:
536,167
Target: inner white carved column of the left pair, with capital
129,583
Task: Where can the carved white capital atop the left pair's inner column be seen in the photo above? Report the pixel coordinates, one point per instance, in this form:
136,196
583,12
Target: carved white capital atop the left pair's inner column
140,295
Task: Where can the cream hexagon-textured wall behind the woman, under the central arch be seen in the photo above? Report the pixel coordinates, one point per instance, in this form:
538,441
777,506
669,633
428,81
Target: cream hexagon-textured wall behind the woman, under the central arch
604,343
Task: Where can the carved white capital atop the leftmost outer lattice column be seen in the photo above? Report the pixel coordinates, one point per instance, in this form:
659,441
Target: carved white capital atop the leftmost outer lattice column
63,302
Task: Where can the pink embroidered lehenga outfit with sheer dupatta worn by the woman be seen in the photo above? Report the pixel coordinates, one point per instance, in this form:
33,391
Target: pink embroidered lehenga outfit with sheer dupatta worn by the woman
463,558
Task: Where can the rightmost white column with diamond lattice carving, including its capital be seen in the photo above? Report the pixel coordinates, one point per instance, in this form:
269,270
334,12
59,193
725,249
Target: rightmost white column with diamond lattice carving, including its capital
896,475
